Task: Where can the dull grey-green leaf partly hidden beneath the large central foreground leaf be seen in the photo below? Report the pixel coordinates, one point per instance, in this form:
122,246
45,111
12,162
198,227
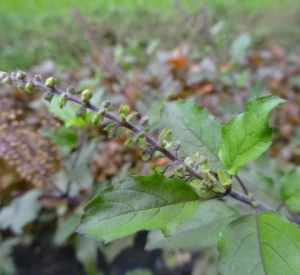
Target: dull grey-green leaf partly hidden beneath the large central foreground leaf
203,229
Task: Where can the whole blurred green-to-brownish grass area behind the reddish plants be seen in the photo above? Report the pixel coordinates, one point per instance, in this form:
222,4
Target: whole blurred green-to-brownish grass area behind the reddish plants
34,30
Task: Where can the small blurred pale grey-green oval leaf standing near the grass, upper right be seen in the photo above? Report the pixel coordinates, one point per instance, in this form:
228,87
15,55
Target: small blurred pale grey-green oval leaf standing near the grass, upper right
240,46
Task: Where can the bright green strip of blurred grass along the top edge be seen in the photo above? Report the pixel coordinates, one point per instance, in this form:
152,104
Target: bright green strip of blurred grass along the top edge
20,6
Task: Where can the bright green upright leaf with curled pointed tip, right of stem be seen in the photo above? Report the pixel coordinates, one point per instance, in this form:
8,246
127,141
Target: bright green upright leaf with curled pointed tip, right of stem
246,136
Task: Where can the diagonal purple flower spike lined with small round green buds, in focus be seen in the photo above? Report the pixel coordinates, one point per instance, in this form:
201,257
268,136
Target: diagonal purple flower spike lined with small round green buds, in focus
196,167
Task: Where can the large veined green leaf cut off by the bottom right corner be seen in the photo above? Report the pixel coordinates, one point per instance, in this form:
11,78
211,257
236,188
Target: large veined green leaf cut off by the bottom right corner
263,244
